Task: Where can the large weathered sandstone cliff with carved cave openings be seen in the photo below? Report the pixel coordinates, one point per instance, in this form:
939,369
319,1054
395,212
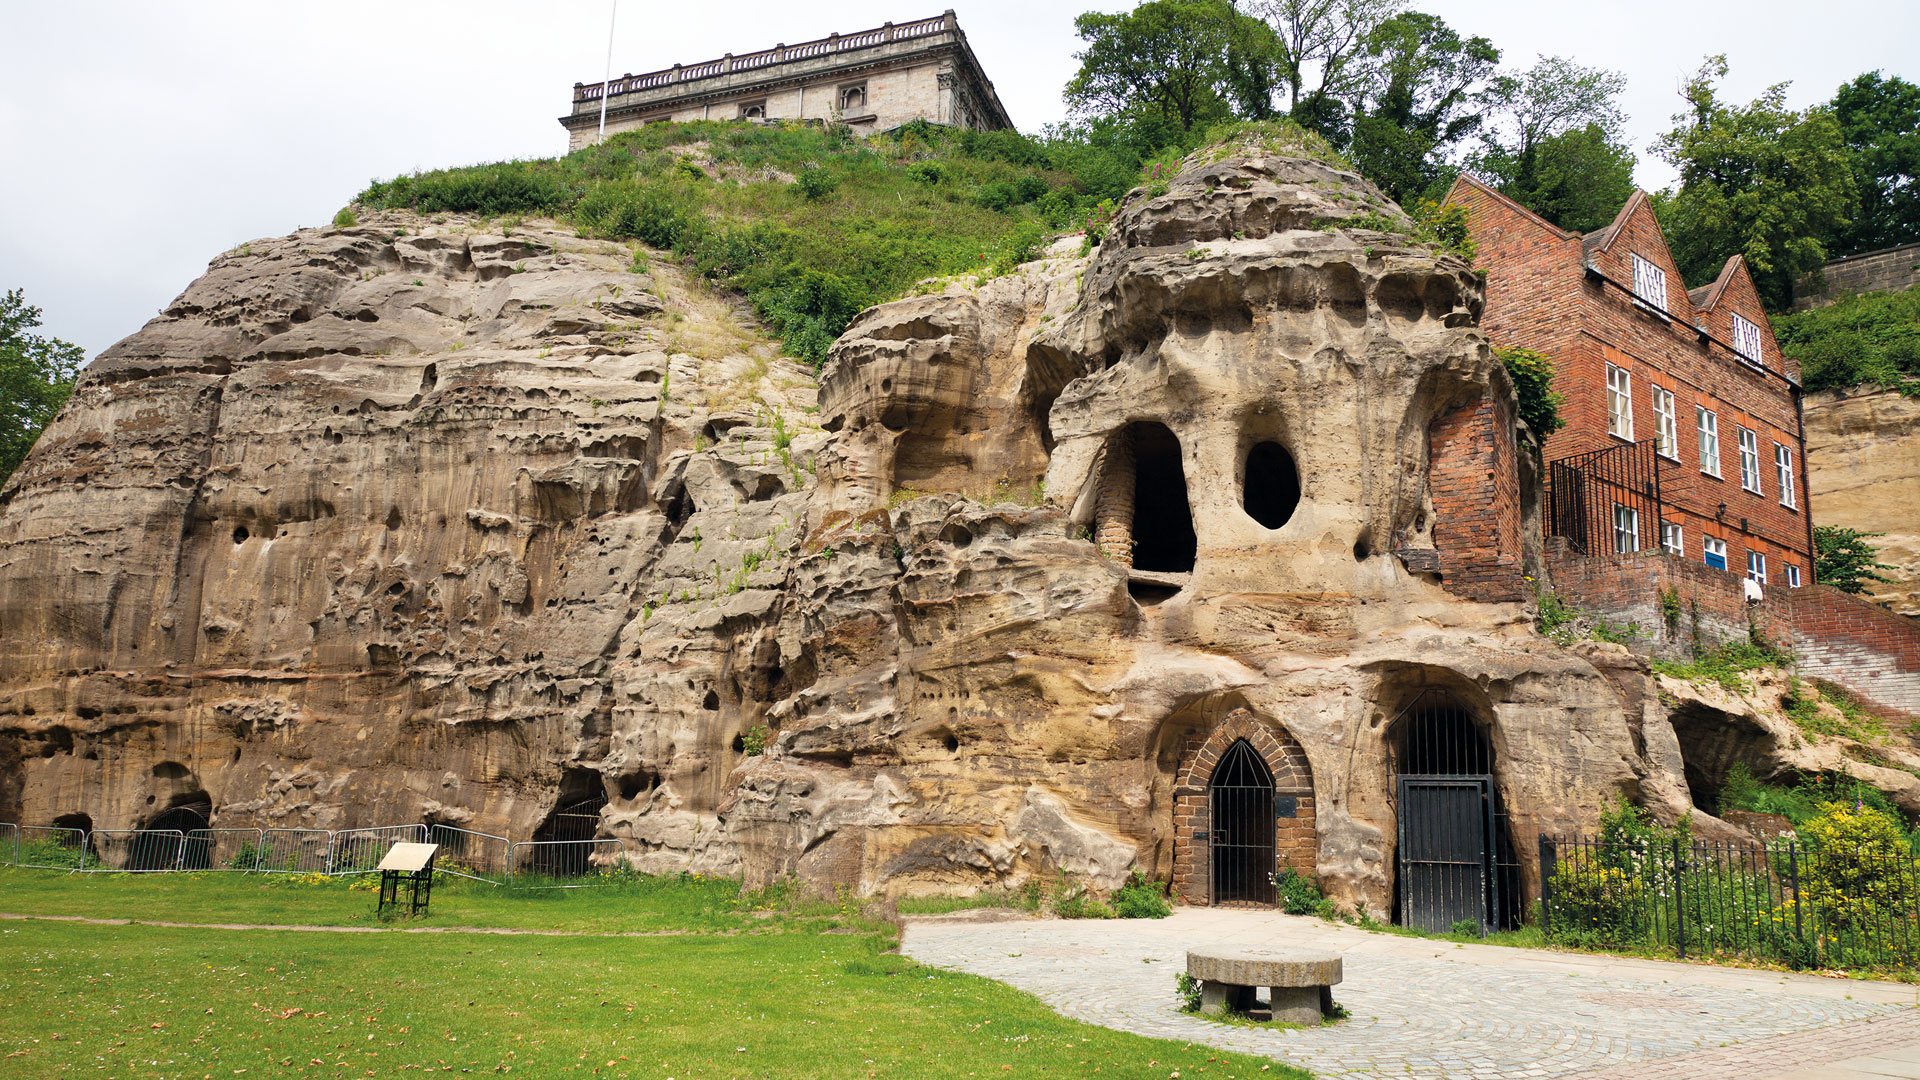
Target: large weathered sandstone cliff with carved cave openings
444,524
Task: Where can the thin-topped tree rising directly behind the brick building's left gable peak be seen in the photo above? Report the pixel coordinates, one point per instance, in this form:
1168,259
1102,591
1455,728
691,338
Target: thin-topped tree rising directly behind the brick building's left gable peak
1552,143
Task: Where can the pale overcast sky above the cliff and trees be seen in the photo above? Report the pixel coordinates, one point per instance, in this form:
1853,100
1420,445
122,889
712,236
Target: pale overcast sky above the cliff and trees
141,139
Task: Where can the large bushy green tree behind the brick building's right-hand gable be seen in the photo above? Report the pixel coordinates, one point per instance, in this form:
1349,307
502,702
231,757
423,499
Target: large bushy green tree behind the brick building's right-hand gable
1760,182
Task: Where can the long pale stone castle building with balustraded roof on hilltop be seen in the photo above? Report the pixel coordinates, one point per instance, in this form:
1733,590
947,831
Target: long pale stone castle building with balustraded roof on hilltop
871,82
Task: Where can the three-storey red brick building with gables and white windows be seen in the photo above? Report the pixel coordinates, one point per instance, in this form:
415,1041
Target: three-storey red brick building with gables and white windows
1683,416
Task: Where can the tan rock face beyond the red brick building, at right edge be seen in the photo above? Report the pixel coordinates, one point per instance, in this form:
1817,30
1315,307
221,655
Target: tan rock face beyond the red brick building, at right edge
1863,474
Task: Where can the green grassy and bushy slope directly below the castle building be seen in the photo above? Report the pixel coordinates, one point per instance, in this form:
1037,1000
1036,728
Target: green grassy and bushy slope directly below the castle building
807,222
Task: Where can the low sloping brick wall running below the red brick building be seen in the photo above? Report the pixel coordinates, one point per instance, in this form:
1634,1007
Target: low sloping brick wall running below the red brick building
1833,635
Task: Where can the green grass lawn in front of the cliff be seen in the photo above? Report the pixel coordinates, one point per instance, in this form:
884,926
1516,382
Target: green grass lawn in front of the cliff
804,993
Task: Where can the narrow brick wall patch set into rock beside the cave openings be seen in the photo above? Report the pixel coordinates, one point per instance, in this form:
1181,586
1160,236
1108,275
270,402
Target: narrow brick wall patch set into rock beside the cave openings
1476,489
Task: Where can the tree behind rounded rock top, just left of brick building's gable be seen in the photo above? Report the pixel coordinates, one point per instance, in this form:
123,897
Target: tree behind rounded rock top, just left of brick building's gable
1422,99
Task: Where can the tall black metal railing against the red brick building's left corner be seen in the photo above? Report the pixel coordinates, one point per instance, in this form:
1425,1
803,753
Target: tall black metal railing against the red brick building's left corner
1589,493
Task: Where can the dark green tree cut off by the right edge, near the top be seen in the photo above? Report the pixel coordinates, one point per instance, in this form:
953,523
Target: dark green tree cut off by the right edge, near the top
1881,122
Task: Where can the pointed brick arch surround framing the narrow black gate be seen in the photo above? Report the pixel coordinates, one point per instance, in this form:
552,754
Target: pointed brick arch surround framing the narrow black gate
1293,779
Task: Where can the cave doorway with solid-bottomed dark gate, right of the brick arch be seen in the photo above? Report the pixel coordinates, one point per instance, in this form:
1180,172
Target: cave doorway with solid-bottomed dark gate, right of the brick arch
1456,852
